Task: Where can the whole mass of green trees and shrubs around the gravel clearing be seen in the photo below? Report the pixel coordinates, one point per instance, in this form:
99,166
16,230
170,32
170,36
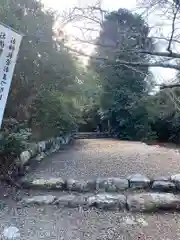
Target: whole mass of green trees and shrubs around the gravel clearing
55,94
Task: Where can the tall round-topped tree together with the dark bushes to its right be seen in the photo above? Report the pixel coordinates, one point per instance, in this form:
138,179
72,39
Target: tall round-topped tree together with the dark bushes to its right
125,101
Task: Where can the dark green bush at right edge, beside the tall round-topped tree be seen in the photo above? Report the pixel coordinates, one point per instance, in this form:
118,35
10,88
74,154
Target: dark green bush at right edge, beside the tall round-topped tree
165,116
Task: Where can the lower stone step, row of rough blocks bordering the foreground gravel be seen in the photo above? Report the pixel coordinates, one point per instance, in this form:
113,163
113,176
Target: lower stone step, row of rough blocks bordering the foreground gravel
141,202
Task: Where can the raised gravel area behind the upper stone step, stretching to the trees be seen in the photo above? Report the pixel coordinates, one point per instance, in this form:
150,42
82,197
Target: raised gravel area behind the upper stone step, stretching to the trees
110,158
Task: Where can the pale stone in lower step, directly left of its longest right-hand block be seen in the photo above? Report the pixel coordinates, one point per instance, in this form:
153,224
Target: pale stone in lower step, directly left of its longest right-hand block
107,201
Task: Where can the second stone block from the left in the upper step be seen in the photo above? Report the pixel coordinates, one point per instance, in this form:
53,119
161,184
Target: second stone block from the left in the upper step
81,185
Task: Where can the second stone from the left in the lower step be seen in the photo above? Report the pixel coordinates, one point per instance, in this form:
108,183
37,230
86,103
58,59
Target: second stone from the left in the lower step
72,201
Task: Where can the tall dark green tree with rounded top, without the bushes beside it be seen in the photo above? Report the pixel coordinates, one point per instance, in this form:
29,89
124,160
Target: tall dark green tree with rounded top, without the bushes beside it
122,86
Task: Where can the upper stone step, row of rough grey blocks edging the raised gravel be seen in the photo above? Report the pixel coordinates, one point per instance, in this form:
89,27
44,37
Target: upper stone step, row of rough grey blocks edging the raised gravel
113,184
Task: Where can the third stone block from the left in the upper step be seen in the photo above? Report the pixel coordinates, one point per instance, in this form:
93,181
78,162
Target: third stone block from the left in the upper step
112,184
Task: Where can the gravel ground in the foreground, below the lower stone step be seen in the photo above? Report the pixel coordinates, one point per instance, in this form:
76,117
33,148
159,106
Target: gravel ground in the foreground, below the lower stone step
51,223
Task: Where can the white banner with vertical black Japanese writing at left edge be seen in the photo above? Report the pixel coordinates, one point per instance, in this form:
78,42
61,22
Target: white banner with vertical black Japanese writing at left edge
9,47
